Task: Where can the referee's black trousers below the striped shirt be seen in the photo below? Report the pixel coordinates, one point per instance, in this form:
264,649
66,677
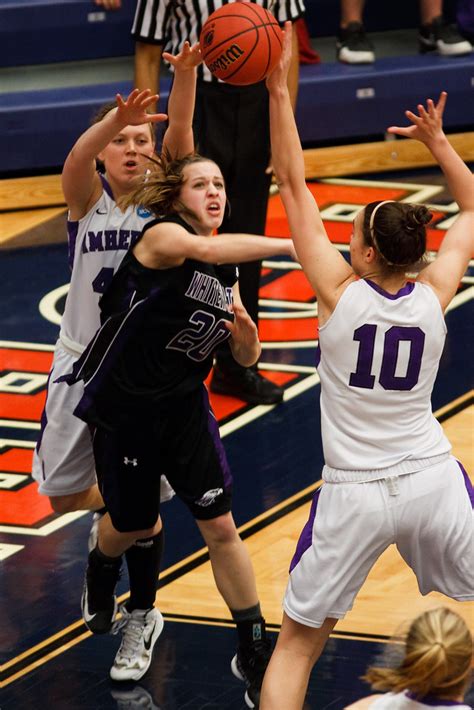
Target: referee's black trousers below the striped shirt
231,125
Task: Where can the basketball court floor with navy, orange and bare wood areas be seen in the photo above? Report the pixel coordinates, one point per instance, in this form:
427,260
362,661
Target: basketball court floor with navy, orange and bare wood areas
49,658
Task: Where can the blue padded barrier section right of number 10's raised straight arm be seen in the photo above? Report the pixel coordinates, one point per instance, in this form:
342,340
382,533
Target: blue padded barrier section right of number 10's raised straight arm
338,101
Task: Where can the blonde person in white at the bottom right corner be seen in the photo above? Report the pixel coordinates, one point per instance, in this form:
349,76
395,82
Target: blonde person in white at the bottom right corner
435,669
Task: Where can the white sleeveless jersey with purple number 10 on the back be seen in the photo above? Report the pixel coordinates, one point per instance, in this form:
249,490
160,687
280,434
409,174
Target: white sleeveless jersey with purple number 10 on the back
379,356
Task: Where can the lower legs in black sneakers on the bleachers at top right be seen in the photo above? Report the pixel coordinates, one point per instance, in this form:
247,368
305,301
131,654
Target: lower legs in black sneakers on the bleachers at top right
435,34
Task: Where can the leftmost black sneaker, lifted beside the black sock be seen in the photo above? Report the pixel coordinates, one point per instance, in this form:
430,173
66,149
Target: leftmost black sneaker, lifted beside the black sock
98,602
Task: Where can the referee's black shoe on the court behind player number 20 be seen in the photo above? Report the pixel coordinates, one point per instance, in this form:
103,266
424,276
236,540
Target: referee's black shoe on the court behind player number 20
247,384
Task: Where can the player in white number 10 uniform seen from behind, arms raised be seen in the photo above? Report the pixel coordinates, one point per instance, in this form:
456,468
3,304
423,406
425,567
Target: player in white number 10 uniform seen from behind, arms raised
389,476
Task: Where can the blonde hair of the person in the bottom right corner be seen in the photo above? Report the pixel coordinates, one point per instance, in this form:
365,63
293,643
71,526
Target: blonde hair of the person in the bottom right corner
437,659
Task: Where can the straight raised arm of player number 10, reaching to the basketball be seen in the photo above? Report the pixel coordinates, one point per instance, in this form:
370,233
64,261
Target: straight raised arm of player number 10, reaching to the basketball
324,266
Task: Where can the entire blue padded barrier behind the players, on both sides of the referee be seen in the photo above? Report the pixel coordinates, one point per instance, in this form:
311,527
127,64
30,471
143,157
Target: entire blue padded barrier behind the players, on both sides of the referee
336,103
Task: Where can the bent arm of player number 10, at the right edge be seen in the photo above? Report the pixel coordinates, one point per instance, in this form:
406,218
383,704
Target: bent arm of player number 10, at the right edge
445,273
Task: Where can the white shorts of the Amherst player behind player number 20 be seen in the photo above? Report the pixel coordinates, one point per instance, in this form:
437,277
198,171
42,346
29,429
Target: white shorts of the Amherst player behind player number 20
63,462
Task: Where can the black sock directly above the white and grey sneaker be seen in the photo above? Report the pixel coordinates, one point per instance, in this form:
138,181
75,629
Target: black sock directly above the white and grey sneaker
143,562
